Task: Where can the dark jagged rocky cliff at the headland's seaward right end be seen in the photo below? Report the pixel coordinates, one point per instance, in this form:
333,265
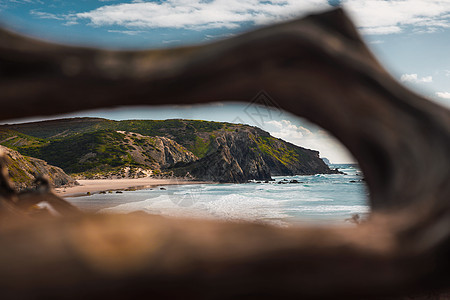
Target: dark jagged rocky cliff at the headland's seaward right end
250,153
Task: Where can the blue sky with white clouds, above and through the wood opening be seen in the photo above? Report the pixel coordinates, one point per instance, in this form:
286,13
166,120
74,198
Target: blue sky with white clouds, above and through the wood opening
411,38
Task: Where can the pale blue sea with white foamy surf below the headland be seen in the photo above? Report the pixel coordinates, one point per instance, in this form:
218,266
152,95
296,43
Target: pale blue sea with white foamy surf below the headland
315,199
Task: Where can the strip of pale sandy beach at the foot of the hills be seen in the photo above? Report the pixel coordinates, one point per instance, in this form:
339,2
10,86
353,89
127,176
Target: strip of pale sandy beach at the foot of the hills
95,186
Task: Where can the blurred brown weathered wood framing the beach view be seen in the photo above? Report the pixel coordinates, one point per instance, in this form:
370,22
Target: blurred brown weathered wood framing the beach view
317,68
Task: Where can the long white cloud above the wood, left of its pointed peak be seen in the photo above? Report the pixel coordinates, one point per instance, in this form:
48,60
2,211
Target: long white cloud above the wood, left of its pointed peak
199,14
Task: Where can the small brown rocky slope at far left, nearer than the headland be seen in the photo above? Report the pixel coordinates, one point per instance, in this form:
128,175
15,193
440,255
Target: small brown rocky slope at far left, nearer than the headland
23,170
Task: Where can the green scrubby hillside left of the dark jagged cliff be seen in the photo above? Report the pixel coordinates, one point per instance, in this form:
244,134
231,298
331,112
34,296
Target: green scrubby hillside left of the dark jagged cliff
101,151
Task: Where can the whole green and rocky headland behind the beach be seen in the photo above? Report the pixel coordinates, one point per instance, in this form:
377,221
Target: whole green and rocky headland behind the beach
218,151
